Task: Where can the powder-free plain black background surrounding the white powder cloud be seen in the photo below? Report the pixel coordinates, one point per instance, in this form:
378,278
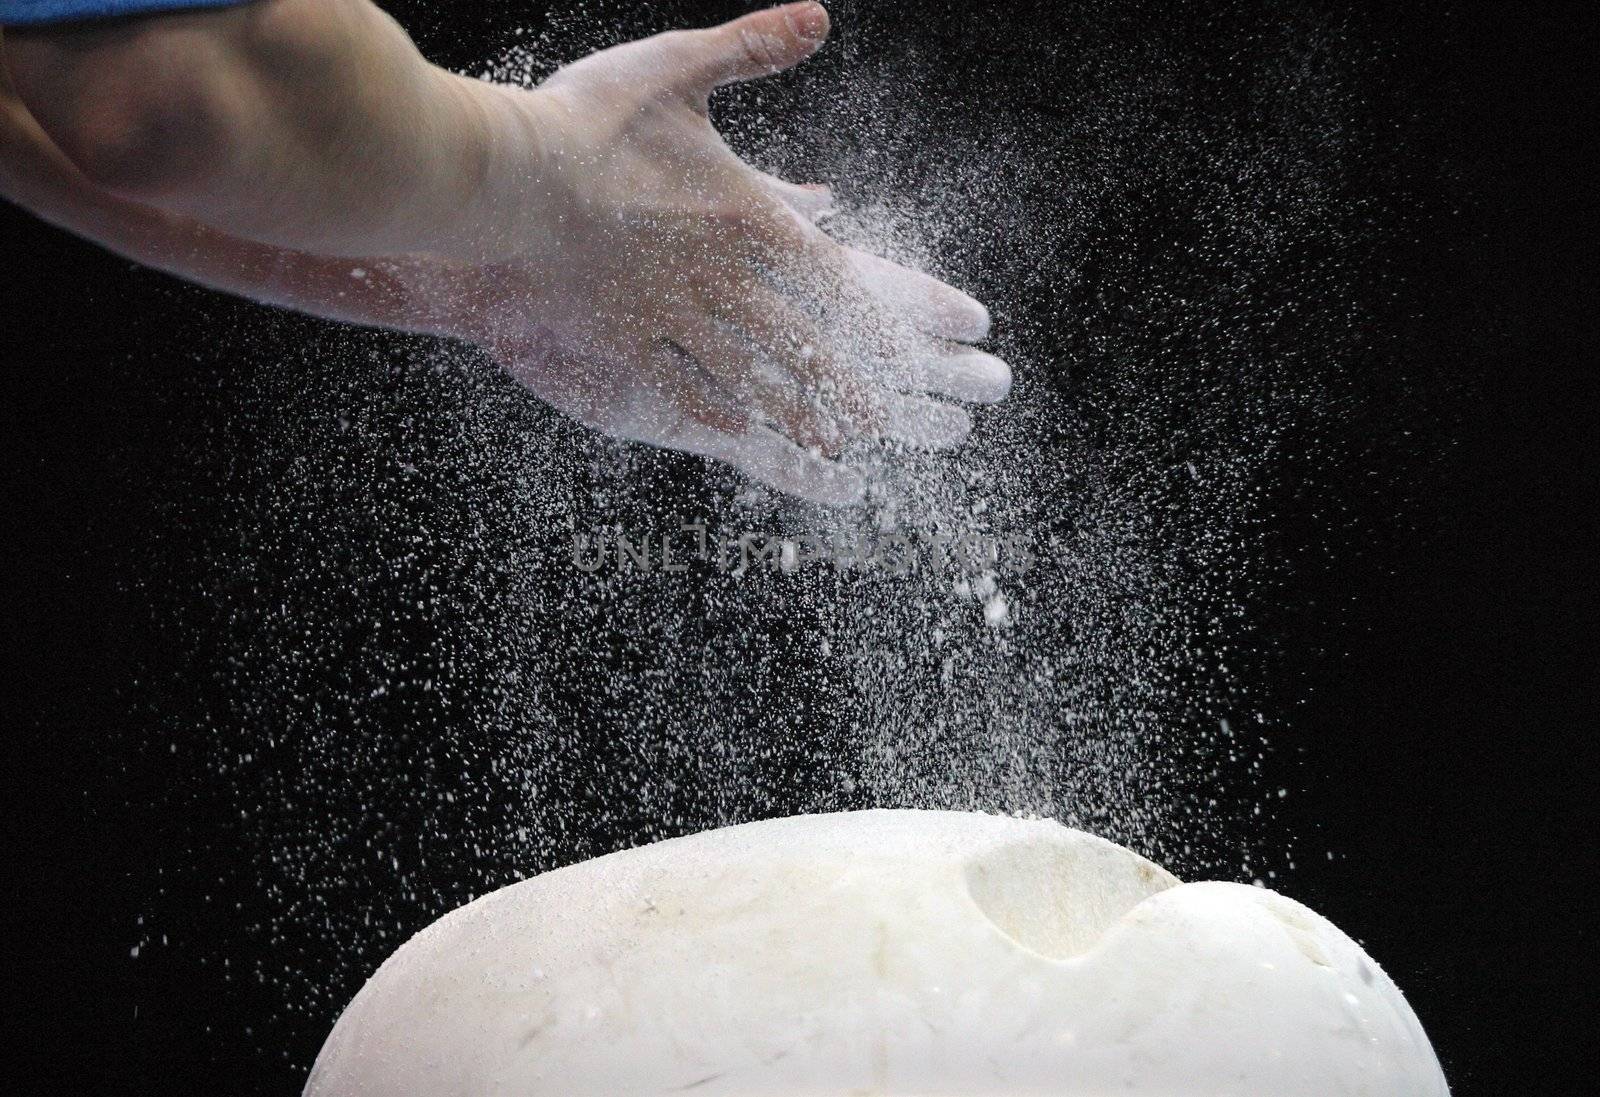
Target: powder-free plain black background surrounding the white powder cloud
1444,714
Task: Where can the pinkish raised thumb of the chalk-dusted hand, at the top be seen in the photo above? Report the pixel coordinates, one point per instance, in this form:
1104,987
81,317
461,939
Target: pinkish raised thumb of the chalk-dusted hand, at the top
751,47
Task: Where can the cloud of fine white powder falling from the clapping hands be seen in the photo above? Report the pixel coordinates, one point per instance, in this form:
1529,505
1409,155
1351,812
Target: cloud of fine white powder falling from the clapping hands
422,688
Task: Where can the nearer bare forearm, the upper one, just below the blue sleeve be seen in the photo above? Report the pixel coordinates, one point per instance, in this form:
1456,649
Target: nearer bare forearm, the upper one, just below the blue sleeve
303,124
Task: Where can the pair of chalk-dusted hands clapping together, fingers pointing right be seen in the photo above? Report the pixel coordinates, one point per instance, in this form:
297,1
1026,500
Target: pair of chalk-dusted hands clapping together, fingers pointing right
658,289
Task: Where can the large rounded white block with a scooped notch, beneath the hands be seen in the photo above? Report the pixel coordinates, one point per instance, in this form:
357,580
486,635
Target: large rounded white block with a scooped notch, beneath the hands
884,952
